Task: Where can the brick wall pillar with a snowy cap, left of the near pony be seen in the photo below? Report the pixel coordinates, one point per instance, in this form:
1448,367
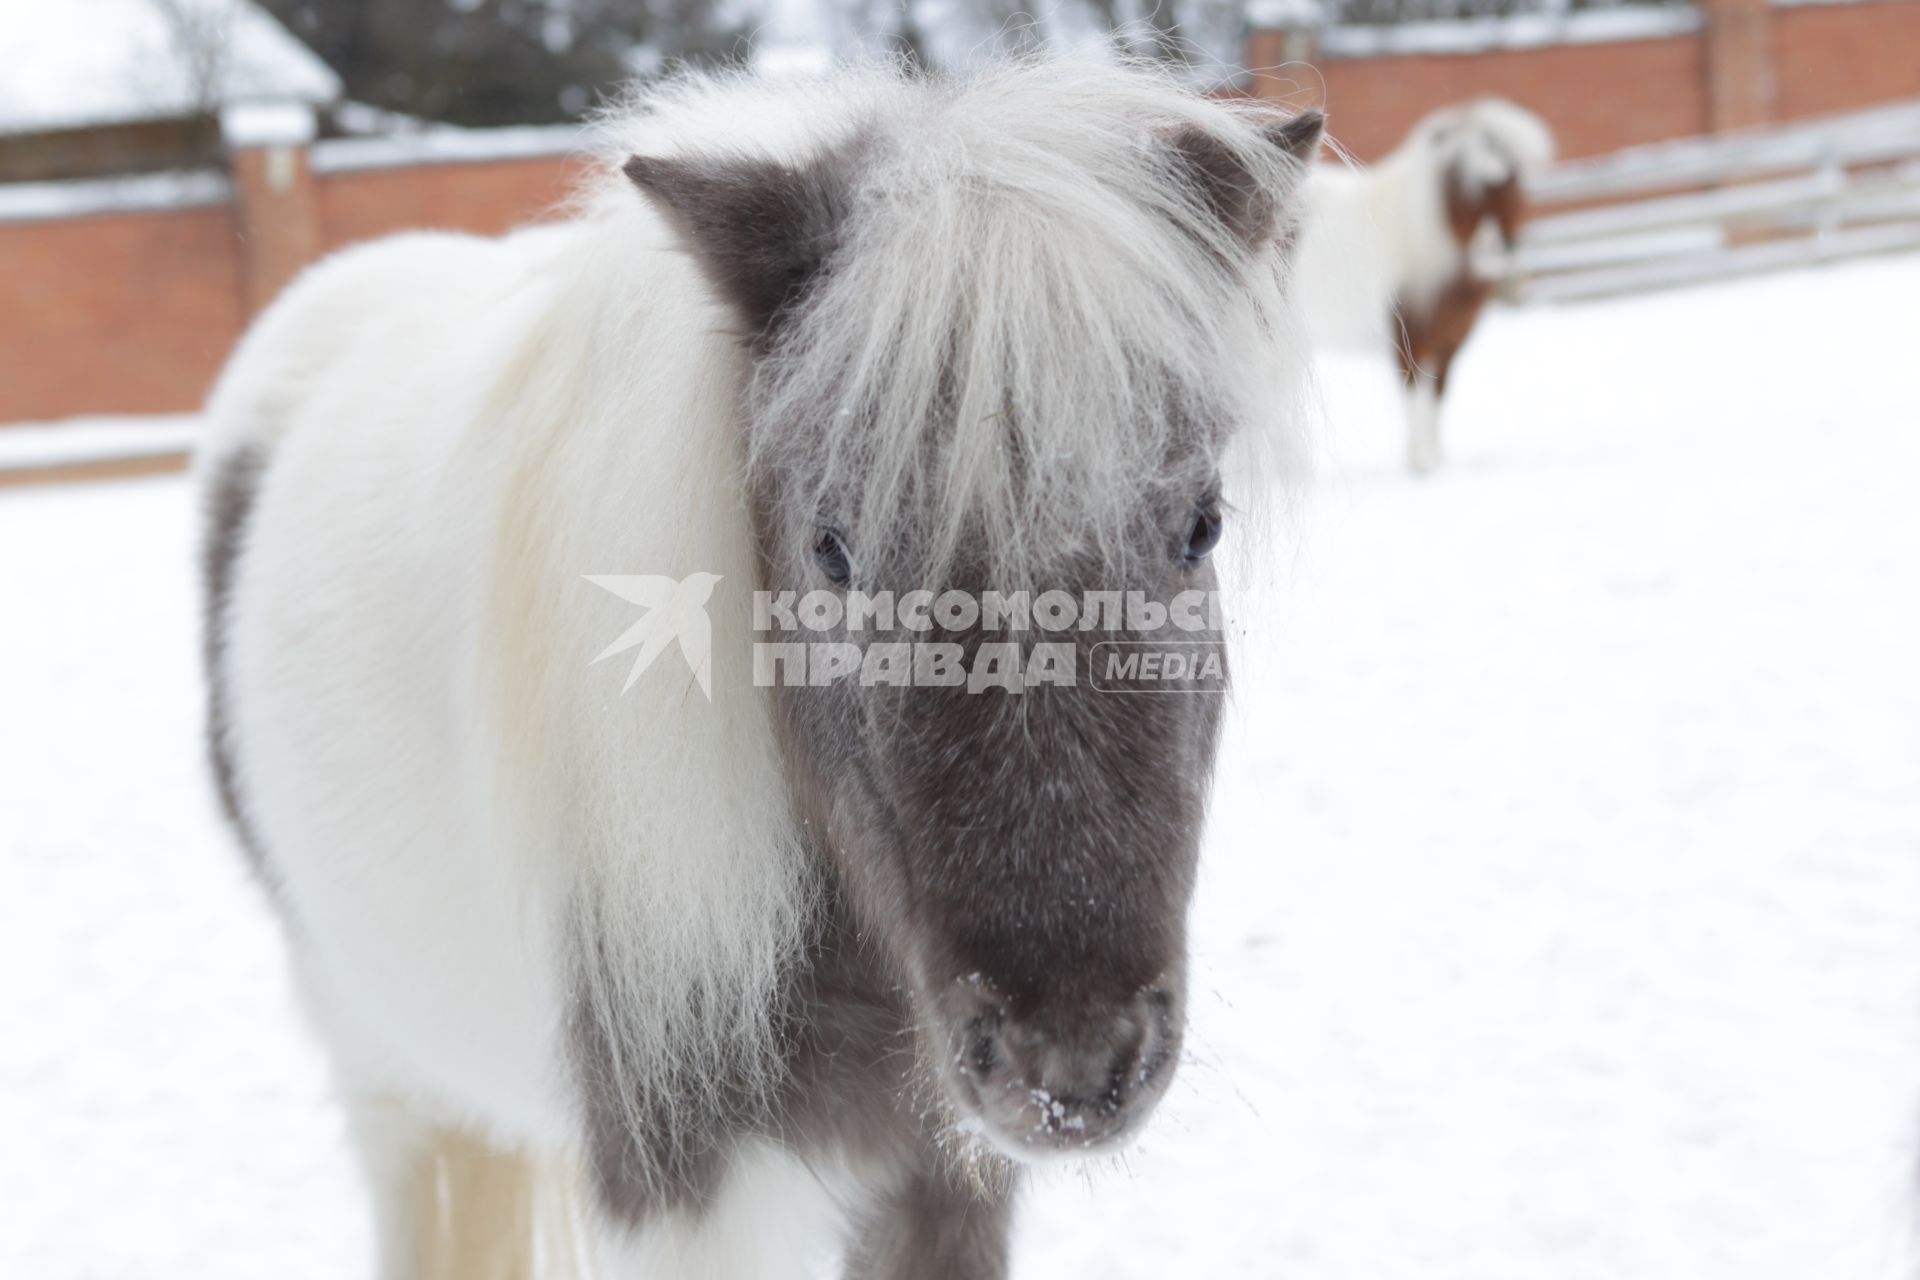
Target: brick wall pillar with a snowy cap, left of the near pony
276,204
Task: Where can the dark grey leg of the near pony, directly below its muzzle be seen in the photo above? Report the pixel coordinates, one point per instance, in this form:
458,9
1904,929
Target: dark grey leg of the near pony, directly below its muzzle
934,1229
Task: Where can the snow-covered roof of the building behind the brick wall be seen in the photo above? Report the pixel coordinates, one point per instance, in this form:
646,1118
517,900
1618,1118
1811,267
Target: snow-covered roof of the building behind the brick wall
99,62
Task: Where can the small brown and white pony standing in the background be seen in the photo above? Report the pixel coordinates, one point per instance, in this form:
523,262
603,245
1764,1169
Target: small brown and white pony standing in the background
1406,252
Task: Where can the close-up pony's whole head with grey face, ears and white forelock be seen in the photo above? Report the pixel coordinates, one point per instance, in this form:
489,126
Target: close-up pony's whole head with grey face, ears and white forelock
1003,337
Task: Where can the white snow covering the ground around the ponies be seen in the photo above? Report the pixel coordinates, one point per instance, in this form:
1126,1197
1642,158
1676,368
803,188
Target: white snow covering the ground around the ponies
1562,913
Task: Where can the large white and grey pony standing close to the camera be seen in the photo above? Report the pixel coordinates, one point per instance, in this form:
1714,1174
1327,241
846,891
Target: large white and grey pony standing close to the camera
767,966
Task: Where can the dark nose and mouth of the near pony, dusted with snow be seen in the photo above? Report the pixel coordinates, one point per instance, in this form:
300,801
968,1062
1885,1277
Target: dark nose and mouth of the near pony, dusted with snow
1063,1085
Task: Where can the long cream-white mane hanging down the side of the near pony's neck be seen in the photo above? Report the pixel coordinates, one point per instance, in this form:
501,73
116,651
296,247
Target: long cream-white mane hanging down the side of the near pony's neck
660,815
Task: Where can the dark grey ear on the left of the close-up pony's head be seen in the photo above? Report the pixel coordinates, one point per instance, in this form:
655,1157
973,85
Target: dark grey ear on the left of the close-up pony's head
759,231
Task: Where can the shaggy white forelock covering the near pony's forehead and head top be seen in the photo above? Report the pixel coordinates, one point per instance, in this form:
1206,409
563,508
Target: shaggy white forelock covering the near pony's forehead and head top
1028,304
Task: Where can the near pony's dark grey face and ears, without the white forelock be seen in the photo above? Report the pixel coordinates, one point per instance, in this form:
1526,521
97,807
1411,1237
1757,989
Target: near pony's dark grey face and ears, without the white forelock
1024,857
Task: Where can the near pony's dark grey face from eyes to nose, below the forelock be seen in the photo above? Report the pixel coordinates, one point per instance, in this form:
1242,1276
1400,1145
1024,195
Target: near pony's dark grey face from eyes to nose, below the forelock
1026,857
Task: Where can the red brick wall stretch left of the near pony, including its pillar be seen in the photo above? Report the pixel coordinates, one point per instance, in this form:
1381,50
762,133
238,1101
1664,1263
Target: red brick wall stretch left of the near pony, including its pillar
137,312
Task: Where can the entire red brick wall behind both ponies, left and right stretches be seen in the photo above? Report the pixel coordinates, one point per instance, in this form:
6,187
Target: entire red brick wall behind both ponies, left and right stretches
135,312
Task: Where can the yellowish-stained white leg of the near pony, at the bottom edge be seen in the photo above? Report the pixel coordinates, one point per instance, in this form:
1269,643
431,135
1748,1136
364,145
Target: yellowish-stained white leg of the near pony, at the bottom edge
500,1216
